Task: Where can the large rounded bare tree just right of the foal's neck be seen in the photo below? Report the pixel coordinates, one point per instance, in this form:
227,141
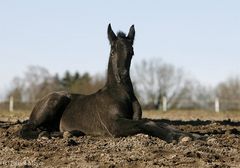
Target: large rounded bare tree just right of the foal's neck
156,79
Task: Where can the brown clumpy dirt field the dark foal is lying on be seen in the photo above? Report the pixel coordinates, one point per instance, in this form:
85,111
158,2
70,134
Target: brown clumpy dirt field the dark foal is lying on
221,149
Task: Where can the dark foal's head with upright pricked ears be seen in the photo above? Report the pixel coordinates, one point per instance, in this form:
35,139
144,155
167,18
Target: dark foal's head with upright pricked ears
121,53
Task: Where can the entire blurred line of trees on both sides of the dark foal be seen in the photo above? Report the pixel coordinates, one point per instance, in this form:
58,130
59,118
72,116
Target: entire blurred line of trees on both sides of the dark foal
153,80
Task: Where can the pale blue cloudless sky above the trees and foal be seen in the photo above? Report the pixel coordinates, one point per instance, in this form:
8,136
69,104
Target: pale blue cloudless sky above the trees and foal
202,37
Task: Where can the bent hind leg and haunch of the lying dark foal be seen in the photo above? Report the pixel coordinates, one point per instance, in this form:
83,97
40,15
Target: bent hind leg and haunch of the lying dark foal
46,114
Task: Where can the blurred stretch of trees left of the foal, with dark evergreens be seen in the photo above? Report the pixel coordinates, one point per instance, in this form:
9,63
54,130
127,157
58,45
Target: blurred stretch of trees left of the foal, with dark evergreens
38,82
